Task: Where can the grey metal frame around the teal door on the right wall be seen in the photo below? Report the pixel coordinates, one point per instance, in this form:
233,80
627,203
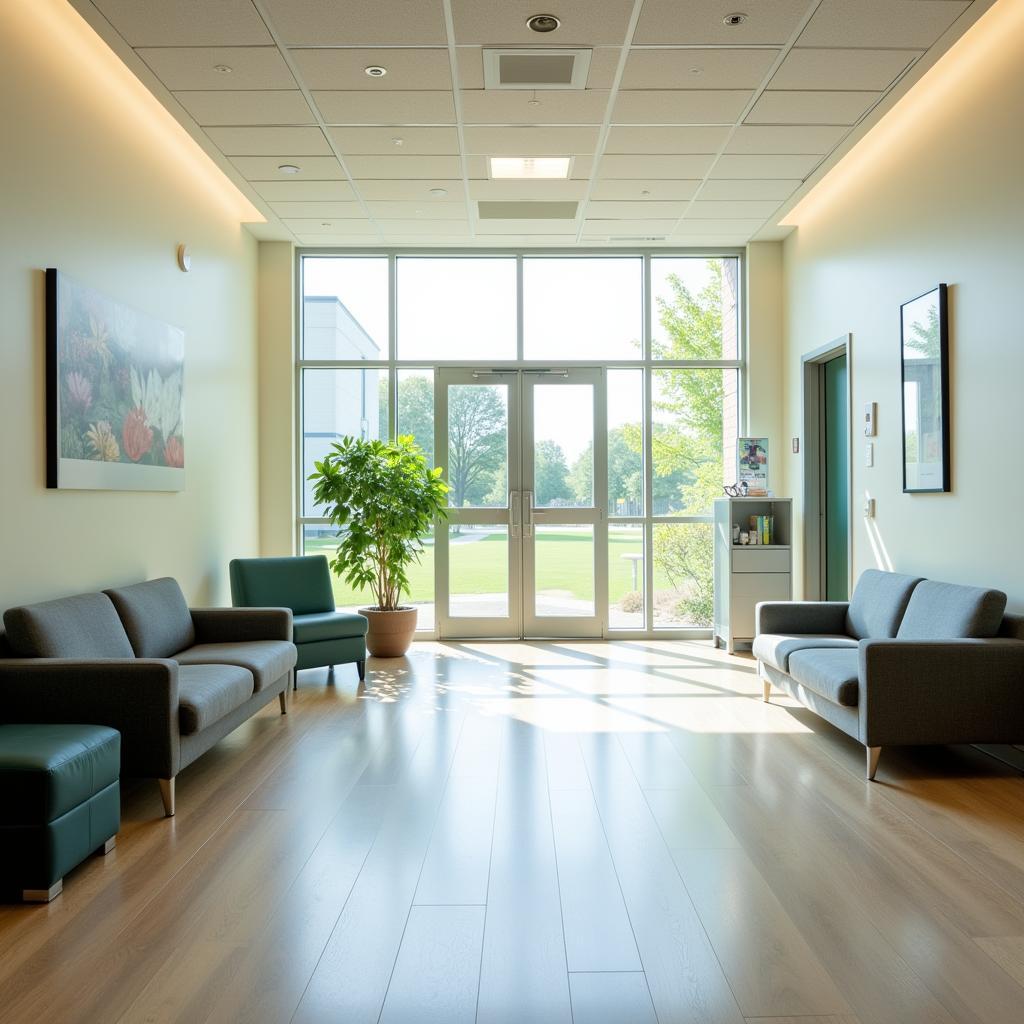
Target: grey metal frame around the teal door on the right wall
813,386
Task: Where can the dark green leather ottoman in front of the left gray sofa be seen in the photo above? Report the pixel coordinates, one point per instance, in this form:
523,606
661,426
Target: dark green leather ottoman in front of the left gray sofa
60,802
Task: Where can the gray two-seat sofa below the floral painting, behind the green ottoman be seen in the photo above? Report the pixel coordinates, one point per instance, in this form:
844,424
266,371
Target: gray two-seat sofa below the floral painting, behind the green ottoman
172,680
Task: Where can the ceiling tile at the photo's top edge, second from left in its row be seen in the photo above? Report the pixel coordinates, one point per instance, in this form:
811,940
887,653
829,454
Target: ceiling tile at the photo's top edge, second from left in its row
359,23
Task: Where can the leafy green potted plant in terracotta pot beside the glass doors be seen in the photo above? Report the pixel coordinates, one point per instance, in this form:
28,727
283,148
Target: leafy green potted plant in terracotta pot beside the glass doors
385,500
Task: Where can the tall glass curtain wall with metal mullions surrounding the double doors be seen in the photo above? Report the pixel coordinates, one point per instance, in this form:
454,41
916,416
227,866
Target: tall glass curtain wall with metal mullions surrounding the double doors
665,329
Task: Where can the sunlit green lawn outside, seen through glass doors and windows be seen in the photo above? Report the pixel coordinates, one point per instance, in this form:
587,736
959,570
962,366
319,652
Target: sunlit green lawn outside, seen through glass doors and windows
565,563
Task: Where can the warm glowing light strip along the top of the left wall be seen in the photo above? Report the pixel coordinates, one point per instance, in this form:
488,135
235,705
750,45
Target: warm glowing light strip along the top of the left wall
65,45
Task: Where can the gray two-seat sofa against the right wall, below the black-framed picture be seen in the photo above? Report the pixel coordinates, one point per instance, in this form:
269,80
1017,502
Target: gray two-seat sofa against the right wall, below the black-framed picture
906,662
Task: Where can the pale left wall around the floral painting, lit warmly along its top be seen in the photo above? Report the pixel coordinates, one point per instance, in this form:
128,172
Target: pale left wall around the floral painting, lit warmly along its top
92,184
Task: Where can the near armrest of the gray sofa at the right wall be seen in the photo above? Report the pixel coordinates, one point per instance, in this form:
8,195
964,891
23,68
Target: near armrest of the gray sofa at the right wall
942,692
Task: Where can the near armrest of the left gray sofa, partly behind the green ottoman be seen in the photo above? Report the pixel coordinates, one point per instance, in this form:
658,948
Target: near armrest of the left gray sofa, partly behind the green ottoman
137,697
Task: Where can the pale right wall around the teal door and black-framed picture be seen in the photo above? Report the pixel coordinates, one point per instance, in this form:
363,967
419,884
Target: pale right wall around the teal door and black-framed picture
934,194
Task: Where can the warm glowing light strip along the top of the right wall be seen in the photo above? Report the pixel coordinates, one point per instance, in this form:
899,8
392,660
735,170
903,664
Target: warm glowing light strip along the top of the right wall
955,75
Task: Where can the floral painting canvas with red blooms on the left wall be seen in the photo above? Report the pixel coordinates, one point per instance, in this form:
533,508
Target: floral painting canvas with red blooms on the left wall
115,394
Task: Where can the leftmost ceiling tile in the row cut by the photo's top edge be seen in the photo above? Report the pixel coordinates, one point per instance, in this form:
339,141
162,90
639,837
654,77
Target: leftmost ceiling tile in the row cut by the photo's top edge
187,23
